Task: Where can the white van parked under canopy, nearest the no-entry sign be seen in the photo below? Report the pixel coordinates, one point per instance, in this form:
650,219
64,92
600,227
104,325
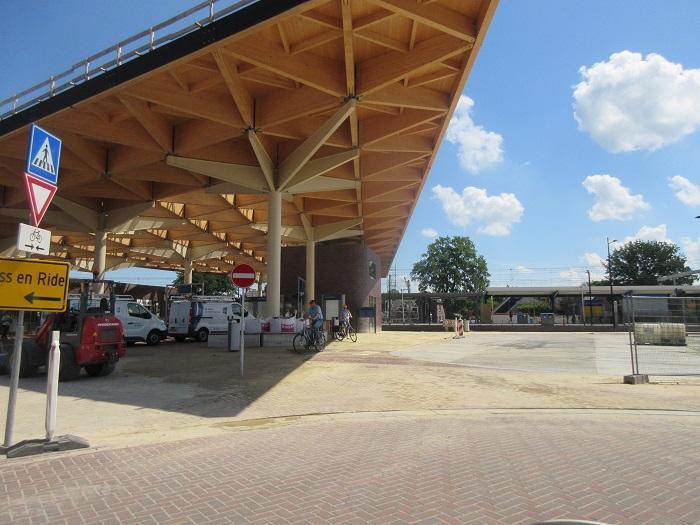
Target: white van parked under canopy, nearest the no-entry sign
198,316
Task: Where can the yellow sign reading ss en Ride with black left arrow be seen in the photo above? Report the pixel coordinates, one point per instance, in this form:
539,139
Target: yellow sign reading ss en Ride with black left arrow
33,285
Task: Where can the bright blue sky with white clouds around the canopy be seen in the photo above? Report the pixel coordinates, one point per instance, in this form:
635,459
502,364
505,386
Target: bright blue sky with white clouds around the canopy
525,157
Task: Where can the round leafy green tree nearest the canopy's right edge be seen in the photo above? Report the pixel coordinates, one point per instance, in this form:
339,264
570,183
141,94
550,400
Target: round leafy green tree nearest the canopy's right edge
451,265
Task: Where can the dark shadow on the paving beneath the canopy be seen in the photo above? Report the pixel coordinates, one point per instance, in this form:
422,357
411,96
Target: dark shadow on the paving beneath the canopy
187,378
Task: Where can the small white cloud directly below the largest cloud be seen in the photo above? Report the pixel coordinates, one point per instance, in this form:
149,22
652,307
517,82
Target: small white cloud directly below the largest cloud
613,200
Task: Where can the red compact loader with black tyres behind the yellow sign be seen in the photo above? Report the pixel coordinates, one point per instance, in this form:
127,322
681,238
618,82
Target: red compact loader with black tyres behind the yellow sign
91,336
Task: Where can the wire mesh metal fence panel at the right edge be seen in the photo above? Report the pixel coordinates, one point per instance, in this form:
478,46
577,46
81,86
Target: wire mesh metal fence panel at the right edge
664,335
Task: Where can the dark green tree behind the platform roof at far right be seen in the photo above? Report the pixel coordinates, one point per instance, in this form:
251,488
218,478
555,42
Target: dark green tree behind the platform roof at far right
643,262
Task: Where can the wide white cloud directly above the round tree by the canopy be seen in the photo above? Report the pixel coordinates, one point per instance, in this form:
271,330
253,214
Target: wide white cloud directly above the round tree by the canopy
495,214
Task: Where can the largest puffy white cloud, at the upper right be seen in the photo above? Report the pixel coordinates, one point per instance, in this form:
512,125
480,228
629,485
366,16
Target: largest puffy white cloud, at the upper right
634,103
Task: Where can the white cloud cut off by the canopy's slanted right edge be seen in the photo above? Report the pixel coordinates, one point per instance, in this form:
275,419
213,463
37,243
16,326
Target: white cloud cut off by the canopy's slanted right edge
478,149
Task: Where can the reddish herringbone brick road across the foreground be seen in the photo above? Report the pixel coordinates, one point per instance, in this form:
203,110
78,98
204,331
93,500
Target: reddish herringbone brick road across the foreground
466,467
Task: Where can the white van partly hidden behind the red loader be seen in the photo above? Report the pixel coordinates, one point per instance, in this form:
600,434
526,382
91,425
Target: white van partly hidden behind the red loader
139,323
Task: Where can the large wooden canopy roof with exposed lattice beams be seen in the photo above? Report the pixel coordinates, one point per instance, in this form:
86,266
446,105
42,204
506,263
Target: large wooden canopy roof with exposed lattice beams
344,101
